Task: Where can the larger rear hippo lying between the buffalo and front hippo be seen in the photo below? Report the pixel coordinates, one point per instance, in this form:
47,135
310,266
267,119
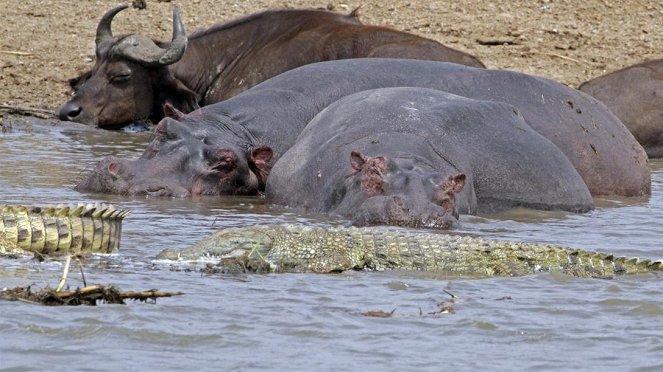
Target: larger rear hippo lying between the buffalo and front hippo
228,147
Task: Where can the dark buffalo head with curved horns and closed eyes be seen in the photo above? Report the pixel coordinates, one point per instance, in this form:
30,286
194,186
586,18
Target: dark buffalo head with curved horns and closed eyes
130,79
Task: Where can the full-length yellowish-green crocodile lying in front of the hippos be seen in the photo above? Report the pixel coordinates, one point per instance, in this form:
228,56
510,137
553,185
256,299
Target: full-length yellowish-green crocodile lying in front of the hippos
297,248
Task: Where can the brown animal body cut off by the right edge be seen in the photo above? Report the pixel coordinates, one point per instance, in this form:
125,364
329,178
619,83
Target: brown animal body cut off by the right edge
635,95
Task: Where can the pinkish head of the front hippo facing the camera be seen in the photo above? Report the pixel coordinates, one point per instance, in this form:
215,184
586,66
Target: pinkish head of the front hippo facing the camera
395,191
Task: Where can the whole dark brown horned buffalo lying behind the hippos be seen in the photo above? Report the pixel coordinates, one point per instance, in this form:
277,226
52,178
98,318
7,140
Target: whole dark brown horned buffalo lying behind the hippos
134,76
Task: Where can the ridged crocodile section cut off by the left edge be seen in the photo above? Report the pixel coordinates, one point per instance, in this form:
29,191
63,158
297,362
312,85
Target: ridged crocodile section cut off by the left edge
61,230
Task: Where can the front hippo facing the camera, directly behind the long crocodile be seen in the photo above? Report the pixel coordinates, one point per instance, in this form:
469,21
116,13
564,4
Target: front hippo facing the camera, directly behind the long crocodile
401,156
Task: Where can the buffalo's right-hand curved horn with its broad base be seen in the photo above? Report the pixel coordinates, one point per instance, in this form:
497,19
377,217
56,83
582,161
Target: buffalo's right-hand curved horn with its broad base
143,50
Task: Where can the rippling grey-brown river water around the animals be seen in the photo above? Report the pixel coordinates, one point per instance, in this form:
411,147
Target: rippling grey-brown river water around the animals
310,321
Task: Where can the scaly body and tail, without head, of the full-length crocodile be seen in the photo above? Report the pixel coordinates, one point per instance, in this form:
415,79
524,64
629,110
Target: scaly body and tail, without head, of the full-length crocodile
338,249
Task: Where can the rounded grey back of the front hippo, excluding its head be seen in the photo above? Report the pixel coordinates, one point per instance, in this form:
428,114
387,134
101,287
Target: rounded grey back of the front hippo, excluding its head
506,162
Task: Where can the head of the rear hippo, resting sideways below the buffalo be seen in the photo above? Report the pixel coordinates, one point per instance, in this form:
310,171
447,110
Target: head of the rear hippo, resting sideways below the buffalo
182,160
